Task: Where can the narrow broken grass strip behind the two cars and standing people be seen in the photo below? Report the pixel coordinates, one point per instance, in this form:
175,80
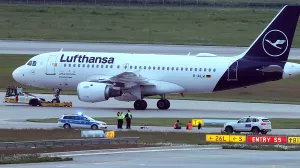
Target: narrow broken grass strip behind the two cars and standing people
277,123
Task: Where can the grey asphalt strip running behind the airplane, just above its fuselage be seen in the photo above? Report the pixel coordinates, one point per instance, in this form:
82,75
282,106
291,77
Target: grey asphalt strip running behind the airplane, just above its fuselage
38,47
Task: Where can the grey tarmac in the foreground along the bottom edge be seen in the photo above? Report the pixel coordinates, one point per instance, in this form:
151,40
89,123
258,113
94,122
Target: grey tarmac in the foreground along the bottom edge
211,156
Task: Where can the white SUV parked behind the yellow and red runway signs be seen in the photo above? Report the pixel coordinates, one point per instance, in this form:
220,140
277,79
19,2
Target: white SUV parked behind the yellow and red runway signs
252,124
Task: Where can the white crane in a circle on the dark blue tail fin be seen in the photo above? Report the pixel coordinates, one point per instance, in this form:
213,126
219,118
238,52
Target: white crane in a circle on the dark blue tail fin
275,43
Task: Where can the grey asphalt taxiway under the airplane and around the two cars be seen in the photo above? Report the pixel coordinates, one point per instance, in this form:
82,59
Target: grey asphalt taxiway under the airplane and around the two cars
14,116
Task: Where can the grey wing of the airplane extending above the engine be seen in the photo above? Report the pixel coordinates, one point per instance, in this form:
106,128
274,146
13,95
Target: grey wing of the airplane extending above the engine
124,78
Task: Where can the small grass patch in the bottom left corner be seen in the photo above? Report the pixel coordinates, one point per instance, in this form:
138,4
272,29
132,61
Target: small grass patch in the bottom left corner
30,158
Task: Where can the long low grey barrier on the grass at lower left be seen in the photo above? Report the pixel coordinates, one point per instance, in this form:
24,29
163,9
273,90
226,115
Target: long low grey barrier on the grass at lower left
68,142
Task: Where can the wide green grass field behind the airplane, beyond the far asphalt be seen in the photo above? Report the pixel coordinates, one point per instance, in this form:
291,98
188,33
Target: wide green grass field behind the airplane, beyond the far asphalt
205,26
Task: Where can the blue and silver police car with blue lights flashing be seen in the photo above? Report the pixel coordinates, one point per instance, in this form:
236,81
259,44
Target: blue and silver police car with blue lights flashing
80,121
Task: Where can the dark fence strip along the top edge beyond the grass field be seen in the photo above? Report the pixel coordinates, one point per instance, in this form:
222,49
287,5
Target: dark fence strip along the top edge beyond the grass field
166,3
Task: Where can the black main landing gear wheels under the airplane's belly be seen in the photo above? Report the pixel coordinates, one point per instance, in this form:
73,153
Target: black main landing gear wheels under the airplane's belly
162,104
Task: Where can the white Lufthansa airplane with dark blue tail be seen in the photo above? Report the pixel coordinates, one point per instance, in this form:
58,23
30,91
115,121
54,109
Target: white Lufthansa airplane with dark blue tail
99,76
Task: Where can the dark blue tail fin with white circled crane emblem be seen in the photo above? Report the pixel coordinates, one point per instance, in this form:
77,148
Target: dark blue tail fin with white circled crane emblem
274,43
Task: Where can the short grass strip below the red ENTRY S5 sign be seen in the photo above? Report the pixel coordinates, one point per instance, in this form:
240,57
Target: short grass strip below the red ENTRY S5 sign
262,147
